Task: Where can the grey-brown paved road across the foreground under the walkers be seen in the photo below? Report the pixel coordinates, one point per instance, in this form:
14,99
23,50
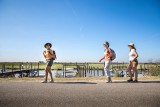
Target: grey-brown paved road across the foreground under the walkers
79,94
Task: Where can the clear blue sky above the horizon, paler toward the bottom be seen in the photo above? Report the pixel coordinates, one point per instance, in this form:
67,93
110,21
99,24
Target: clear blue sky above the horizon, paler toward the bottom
78,28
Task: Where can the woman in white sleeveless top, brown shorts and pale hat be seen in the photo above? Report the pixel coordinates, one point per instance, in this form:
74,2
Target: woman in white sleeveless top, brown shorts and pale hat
133,62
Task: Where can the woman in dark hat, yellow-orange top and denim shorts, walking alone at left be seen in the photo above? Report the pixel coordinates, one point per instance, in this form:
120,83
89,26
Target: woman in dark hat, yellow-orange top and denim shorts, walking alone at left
49,55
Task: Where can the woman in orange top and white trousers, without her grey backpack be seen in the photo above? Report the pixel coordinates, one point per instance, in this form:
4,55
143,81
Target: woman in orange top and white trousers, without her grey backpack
107,57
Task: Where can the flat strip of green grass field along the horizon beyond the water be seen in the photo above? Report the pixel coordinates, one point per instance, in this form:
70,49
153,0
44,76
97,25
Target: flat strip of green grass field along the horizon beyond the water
56,66
